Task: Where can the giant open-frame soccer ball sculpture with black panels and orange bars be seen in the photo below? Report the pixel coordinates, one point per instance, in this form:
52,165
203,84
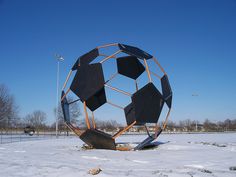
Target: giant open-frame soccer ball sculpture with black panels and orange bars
145,103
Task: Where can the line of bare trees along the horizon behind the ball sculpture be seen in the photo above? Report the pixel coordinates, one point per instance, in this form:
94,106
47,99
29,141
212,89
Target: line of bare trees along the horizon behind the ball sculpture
9,118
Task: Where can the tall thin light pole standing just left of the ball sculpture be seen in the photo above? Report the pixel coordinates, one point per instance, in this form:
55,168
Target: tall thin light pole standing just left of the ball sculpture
59,58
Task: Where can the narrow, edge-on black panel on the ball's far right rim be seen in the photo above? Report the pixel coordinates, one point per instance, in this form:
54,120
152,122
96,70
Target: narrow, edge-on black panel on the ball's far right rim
166,90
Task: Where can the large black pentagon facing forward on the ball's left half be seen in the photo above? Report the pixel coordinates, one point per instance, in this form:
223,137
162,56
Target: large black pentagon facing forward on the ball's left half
88,81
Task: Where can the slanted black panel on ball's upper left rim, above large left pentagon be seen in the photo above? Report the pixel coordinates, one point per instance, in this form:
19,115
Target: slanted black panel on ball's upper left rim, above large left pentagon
86,58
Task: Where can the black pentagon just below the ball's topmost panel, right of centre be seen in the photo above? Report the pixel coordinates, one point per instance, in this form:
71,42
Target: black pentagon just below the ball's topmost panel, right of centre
130,66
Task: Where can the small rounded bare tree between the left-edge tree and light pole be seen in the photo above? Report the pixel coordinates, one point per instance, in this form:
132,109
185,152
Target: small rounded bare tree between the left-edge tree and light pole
36,119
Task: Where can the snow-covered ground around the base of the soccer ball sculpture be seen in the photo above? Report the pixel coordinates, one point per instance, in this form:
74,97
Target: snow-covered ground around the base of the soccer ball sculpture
179,155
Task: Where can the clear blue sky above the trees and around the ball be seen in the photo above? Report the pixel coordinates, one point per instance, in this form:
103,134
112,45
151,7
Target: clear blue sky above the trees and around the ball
195,42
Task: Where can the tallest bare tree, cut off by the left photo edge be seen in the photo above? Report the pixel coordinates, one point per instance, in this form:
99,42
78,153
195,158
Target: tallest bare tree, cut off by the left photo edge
8,109
